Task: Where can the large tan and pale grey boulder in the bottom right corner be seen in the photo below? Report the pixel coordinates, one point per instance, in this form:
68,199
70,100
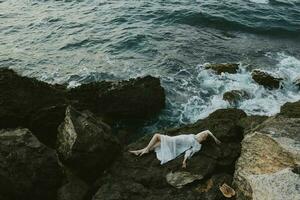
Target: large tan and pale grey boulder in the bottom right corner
267,167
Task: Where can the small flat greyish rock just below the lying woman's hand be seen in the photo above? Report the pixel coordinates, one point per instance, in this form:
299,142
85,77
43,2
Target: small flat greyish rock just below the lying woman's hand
180,179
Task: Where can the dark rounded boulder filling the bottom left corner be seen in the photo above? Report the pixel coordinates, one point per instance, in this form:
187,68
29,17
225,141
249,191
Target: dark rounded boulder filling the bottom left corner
28,169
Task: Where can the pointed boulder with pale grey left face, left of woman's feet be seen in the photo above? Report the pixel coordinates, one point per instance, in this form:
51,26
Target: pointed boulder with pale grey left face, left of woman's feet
86,144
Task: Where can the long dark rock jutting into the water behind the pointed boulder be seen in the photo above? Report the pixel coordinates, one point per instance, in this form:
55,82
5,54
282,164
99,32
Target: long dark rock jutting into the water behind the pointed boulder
133,99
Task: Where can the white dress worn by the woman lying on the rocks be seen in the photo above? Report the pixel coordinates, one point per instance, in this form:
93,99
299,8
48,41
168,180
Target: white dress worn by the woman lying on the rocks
172,146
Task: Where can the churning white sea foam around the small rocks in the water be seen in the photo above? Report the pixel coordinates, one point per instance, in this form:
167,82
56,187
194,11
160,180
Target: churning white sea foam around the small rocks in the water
194,95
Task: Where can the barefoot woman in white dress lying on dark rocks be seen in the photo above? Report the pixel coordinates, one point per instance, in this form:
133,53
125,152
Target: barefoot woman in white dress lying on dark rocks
169,147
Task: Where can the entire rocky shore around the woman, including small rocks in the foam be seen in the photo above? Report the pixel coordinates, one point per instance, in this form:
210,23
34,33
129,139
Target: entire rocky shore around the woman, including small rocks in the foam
59,144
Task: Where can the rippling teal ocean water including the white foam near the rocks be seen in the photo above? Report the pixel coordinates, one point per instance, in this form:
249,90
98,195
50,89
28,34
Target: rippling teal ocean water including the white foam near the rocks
79,41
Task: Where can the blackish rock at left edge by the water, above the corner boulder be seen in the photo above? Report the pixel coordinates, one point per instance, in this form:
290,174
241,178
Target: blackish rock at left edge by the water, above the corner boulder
30,103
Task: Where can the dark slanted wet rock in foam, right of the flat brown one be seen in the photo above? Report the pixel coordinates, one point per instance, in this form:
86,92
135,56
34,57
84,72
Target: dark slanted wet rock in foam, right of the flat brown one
266,79
